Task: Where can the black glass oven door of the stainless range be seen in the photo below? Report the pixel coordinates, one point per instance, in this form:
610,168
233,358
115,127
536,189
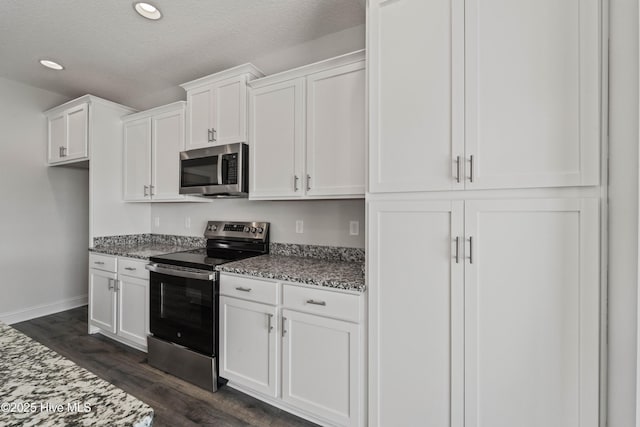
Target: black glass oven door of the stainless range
183,310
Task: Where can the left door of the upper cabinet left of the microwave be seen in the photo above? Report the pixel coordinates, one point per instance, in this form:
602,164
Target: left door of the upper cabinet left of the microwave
137,159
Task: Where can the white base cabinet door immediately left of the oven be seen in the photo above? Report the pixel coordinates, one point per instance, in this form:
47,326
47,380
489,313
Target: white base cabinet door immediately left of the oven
133,306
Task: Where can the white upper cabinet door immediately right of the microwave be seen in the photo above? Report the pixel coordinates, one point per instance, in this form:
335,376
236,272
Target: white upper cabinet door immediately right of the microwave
277,140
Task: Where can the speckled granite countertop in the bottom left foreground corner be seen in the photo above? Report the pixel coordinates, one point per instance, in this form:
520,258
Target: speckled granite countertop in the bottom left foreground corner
40,387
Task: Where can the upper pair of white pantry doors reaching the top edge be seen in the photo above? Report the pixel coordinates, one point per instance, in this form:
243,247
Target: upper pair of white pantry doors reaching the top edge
479,95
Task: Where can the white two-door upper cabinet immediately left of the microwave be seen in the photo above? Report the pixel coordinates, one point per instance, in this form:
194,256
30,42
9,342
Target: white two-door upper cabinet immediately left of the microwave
153,140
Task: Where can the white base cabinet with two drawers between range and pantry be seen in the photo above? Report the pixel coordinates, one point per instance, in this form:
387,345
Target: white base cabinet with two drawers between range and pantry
303,352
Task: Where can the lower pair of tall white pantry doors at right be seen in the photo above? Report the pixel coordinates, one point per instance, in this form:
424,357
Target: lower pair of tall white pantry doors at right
506,314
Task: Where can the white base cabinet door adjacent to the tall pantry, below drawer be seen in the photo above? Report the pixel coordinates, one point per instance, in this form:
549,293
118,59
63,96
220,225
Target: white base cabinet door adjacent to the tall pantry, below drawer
321,366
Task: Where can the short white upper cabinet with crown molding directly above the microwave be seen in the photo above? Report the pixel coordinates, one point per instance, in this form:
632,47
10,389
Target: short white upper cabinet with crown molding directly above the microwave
217,107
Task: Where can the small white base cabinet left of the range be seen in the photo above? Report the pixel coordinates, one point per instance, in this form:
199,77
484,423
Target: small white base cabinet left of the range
119,299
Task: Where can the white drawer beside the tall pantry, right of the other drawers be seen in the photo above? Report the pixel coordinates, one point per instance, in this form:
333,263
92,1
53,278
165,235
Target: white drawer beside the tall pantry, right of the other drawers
323,302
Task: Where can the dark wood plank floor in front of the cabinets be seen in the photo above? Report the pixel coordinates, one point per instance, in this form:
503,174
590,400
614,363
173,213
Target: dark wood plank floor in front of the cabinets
175,402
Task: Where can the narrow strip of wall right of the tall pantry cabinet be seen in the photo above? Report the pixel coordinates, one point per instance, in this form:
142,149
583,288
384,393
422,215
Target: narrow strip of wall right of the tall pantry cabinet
623,212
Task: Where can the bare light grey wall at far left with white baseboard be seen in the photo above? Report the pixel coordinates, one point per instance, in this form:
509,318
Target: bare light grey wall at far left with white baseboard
44,212
